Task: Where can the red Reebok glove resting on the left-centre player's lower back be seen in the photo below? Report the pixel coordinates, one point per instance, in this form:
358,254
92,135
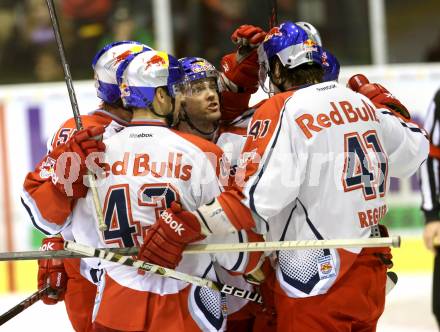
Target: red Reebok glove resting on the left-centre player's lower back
165,241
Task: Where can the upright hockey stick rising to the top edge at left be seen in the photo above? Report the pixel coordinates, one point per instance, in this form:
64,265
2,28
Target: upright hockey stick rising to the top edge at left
68,78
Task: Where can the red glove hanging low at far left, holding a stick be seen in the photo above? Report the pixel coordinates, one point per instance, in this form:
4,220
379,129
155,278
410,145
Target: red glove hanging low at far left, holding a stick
51,272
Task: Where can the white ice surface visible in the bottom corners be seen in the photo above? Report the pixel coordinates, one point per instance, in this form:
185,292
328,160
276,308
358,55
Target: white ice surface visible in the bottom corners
407,310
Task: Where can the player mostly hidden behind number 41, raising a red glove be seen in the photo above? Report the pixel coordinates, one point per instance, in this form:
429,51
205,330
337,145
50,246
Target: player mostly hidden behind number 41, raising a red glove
232,136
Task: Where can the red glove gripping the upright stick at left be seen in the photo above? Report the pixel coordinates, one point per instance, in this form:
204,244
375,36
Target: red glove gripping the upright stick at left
67,170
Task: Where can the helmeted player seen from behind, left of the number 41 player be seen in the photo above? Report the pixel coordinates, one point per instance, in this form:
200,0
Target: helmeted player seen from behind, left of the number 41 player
148,166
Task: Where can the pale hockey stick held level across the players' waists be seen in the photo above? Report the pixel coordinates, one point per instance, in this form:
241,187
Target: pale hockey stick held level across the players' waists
221,247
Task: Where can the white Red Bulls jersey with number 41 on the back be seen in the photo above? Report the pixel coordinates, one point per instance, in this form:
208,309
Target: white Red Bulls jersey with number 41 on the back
328,153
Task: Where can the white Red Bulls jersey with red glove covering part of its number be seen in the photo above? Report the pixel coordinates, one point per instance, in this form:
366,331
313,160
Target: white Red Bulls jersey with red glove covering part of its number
147,167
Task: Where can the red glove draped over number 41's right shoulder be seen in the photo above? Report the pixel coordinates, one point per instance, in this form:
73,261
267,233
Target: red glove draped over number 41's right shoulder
378,94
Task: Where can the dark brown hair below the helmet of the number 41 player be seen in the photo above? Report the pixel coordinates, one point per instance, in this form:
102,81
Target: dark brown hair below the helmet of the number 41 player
301,75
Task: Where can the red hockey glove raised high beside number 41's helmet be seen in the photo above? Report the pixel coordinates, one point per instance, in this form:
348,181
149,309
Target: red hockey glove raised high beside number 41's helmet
240,69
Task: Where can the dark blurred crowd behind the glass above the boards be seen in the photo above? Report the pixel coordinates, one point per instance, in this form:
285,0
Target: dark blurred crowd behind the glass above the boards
201,27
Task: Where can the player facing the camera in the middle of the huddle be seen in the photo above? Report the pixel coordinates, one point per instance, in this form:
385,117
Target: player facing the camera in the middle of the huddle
203,79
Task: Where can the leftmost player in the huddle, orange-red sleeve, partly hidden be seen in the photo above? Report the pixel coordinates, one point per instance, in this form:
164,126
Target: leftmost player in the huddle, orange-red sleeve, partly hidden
49,204
